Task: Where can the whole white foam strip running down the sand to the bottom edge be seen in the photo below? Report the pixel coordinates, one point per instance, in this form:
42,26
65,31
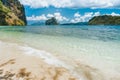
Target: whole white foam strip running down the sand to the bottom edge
50,59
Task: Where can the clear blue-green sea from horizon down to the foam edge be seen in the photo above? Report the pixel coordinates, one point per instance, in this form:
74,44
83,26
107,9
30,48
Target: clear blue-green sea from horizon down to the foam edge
96,46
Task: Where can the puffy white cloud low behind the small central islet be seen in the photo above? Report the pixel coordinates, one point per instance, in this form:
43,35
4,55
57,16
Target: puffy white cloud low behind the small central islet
57,15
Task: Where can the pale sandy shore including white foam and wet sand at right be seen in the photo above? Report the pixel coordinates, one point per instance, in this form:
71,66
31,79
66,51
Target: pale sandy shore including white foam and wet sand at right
18,57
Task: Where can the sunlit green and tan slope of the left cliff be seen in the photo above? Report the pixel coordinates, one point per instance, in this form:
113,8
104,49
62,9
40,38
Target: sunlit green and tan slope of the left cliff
8,16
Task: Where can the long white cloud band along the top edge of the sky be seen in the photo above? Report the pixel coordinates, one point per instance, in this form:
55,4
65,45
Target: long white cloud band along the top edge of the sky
72,3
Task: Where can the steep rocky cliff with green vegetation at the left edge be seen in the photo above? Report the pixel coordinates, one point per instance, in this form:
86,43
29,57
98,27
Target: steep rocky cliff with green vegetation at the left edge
12,13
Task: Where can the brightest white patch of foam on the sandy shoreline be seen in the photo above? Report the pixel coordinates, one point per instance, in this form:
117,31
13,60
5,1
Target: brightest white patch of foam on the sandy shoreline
48,58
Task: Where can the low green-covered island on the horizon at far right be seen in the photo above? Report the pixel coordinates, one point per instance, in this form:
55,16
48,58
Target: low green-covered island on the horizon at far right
105,20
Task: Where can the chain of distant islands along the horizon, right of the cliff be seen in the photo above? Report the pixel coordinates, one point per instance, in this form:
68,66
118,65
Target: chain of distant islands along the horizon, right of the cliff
97,20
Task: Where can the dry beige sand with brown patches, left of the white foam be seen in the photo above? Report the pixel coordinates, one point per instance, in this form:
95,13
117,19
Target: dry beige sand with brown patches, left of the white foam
16,66
